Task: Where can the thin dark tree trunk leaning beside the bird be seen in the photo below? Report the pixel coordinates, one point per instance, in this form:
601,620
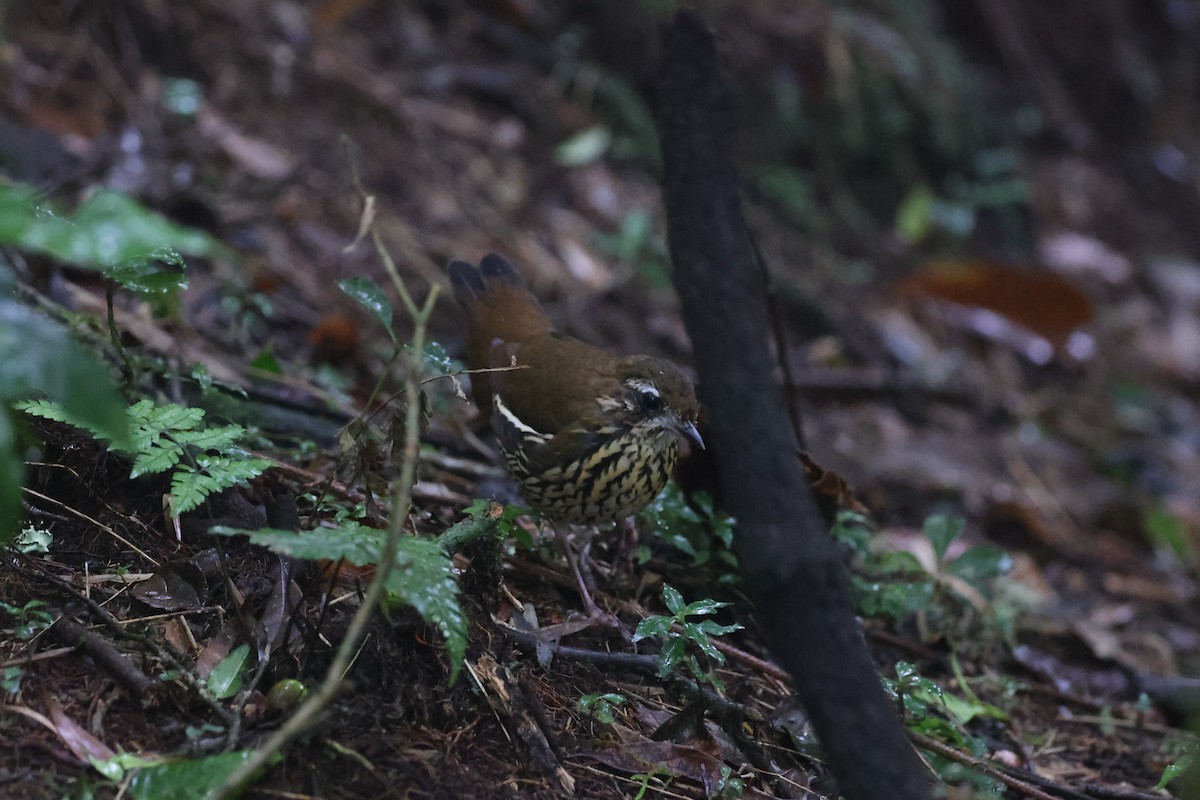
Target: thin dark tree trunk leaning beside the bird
791,567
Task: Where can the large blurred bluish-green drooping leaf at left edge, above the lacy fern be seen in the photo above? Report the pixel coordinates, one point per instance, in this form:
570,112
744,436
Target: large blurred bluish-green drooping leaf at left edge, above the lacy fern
38,357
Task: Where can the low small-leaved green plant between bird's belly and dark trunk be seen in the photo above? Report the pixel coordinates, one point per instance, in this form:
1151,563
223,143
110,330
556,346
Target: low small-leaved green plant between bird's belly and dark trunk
697,530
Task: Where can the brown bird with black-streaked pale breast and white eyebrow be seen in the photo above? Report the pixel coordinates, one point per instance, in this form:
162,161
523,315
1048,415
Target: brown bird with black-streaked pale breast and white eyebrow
590,437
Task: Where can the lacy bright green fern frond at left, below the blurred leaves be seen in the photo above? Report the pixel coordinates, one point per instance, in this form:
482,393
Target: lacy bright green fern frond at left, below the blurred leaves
172,438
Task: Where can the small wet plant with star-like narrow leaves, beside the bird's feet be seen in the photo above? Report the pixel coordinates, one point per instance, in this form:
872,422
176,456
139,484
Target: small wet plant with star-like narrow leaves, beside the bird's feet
680,646
